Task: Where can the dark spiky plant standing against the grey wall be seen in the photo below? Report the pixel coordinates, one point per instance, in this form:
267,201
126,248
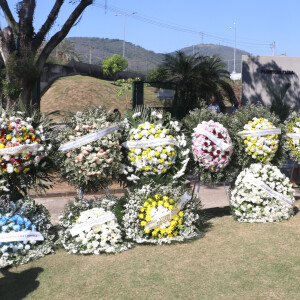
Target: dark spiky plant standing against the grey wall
278,106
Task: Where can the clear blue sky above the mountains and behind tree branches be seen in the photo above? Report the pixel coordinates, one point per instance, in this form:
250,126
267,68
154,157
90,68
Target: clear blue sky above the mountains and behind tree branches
168,25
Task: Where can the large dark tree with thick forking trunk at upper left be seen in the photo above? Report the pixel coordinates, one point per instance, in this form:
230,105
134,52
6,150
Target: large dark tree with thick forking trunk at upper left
20,44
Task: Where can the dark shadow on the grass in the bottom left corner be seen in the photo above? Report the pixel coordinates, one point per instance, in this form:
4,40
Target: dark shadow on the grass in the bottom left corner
16,286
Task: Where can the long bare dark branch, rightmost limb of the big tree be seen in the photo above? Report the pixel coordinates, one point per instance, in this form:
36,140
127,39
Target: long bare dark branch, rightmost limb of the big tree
60,35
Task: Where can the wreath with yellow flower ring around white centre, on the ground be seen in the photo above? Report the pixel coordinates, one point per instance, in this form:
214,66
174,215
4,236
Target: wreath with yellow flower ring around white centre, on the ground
146,208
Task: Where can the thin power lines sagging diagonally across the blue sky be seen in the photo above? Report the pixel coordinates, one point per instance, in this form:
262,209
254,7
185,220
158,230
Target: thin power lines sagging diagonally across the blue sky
176,27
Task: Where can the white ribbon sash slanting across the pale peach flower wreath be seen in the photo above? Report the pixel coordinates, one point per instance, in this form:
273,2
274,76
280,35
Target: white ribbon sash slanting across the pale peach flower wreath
89,138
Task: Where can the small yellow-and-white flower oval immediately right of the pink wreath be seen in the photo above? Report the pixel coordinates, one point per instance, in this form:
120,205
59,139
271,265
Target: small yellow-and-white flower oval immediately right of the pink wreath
261,148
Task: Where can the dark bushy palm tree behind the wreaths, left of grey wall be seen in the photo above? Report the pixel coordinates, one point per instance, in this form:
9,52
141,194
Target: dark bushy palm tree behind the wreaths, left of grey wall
198,79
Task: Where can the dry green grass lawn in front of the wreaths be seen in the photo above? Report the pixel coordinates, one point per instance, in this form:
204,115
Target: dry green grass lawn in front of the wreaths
232,261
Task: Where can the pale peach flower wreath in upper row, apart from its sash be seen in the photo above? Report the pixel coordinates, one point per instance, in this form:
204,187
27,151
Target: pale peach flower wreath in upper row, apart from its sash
94,165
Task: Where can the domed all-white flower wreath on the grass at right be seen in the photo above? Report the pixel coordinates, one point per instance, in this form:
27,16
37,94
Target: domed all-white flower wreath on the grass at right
251,202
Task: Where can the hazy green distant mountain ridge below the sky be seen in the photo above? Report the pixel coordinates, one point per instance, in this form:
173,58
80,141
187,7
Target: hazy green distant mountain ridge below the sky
142,60
